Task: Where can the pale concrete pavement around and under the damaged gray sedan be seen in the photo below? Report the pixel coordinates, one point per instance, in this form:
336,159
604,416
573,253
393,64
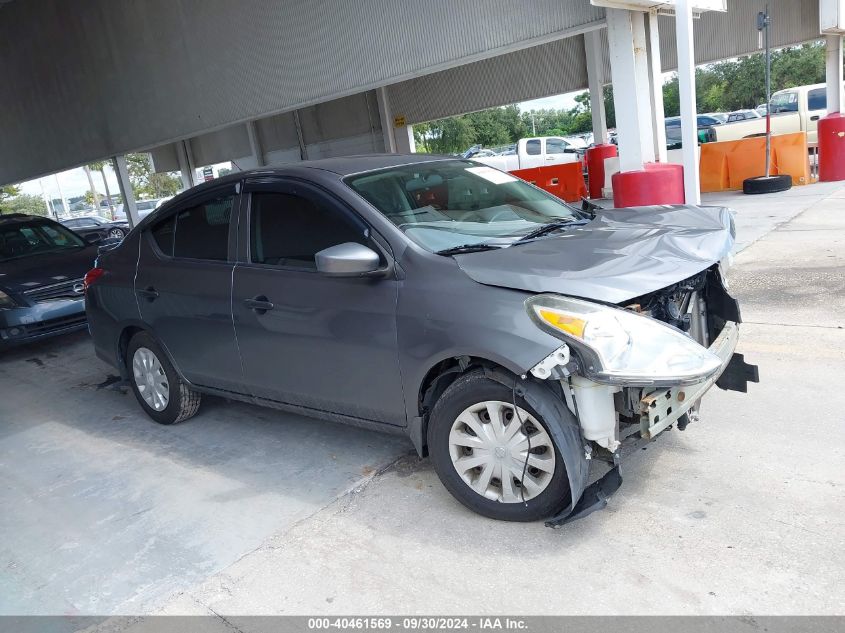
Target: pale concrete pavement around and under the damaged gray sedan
243,511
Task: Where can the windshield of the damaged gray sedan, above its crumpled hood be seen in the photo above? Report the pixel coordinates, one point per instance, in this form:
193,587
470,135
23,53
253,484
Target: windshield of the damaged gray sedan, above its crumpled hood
446,204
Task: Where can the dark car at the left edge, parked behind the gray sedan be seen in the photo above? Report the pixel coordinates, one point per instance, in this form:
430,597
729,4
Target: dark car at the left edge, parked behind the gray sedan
42,265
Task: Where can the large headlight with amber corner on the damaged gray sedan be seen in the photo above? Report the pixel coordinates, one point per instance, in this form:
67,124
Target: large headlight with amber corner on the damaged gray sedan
622,347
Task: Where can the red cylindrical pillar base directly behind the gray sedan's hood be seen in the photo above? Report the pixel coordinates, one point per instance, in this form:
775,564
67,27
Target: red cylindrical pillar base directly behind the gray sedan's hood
658,183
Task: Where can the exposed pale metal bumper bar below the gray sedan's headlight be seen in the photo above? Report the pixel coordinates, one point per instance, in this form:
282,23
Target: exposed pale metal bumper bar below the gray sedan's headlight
664,406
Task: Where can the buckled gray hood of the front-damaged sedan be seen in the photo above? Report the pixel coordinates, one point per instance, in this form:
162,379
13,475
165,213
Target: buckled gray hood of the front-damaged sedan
622,254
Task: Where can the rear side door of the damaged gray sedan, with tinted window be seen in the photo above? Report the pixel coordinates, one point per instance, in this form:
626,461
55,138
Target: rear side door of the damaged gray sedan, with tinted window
183,287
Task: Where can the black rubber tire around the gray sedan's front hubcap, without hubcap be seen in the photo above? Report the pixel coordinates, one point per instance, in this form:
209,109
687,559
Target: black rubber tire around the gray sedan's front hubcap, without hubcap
474,388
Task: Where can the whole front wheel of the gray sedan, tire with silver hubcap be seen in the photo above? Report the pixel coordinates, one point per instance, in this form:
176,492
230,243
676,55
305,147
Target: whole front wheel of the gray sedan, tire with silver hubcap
496,459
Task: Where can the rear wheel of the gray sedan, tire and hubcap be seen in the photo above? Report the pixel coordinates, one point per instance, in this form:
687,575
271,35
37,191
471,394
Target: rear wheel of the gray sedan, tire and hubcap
163,395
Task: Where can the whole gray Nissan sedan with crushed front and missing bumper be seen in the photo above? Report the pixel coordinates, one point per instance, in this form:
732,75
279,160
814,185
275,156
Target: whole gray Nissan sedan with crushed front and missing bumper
515,339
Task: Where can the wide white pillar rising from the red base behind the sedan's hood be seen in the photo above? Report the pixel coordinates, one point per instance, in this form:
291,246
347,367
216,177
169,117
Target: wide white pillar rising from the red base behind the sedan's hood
629,71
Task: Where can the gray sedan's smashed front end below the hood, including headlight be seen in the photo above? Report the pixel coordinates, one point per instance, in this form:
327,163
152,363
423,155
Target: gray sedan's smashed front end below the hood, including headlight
621,406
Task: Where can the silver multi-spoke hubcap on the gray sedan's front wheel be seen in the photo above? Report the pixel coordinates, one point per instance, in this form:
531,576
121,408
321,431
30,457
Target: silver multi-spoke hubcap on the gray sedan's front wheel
489,447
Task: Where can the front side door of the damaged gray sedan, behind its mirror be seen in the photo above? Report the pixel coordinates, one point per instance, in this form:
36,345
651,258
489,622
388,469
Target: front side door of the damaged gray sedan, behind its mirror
305,338
